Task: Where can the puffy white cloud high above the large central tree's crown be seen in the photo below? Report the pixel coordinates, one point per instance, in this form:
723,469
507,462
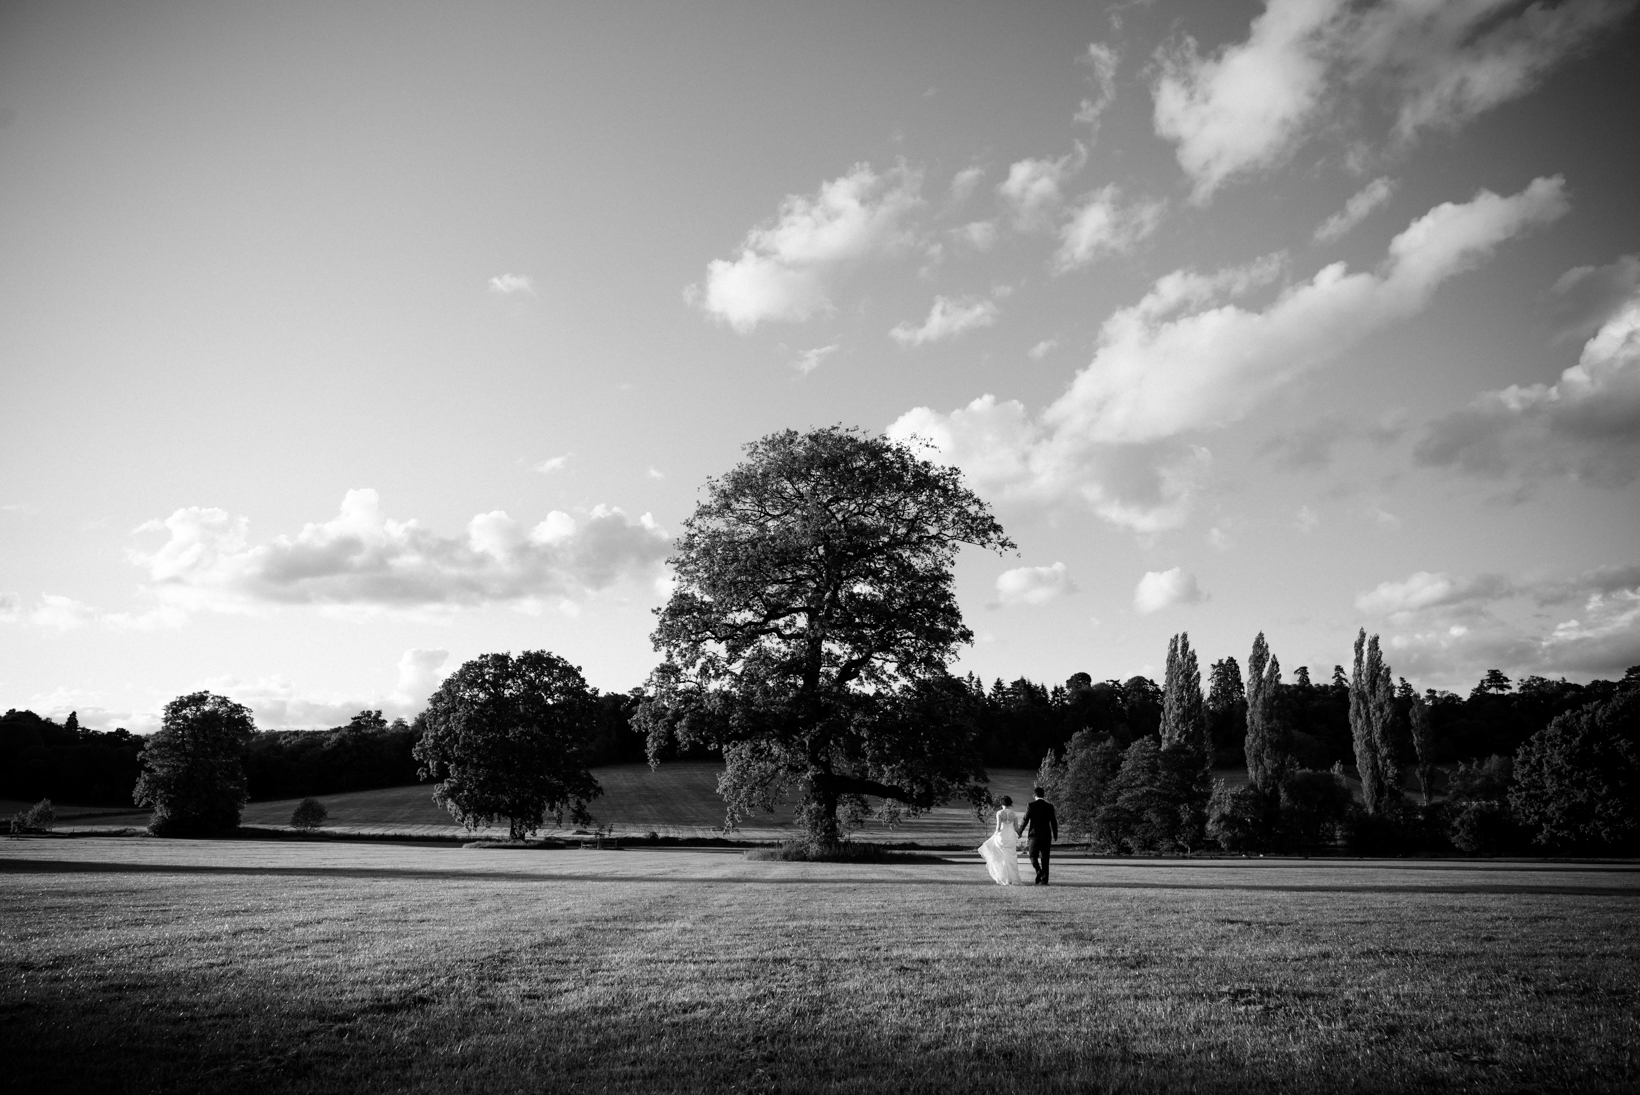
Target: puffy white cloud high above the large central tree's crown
785,270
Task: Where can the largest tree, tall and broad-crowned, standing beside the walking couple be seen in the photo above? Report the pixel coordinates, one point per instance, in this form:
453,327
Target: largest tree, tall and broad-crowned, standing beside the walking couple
813,625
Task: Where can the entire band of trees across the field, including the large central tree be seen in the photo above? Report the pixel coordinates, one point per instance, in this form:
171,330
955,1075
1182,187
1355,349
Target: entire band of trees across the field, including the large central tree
808,645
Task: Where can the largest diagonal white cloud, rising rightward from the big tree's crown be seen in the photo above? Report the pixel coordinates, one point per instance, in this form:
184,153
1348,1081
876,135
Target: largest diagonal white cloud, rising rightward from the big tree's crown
1185,360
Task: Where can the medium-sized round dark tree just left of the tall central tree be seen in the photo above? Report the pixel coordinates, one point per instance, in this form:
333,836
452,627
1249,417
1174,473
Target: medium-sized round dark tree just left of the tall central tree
509,740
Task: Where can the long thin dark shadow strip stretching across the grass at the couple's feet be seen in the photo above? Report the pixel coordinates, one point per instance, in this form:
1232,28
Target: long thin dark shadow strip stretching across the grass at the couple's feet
1628,886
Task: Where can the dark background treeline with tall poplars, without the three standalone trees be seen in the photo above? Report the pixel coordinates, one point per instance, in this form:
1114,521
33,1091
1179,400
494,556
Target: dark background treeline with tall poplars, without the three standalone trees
1357,761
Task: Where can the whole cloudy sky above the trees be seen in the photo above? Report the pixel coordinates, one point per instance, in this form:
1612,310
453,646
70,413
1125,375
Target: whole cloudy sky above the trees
342,343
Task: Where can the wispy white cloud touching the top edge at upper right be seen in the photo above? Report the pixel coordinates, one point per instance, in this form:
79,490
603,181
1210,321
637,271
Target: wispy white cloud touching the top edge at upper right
1308,63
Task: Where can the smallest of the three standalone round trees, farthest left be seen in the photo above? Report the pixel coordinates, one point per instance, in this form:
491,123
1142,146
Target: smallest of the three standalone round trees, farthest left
194,766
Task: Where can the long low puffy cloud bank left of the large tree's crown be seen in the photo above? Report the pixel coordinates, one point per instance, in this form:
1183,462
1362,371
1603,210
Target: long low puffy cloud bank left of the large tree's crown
363,558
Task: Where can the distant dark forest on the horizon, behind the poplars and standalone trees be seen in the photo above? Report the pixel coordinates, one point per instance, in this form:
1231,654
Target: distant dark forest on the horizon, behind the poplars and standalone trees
1016,727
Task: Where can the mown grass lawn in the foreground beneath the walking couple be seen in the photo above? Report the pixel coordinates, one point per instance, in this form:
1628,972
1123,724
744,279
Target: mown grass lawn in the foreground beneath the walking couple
145,966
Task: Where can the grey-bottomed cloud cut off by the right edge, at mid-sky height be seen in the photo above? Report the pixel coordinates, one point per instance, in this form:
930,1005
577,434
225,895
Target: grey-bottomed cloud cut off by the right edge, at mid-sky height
1583,427
